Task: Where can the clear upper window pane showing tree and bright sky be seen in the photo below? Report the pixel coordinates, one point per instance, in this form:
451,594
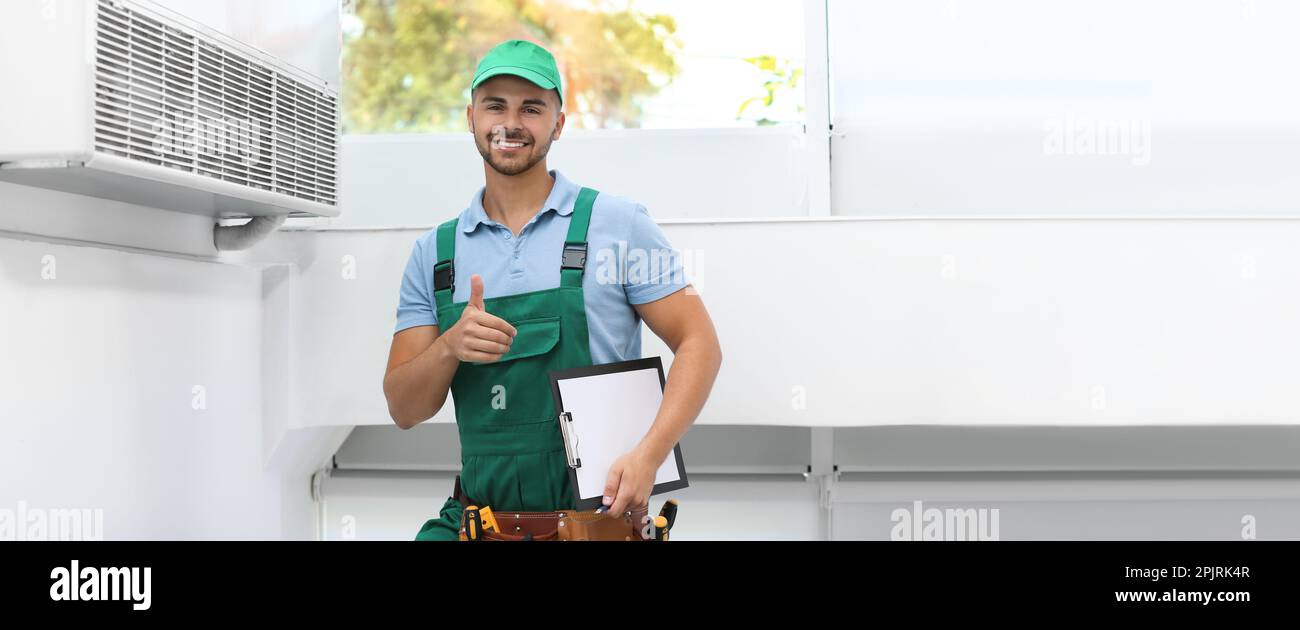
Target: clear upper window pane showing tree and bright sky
636,64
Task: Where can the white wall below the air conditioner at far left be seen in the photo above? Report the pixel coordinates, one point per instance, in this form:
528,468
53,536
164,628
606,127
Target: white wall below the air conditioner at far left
102,353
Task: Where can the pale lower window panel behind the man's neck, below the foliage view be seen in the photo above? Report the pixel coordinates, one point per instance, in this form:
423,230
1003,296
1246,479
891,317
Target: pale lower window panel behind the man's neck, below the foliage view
418,180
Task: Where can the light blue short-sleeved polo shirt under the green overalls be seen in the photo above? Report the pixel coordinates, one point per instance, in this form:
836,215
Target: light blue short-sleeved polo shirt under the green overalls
630,262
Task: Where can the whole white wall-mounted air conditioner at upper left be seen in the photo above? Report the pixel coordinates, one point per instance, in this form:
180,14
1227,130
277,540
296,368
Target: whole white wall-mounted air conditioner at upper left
127,101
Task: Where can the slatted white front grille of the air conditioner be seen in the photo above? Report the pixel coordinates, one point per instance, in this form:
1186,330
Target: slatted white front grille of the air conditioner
177,98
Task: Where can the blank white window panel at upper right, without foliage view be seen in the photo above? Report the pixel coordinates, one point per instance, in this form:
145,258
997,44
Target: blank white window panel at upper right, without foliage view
1065,108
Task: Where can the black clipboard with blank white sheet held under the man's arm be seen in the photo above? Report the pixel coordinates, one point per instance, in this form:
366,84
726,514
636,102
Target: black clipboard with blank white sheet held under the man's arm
604,411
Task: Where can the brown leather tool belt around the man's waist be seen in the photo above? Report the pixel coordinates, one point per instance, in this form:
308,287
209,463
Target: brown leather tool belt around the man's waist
561,525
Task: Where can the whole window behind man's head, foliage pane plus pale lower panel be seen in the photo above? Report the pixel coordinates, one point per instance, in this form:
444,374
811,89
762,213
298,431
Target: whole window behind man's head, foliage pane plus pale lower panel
721,98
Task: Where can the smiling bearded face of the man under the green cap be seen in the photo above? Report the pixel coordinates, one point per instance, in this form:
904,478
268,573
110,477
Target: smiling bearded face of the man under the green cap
514,123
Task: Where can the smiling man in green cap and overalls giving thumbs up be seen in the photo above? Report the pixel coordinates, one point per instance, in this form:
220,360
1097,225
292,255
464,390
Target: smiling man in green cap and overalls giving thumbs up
493,301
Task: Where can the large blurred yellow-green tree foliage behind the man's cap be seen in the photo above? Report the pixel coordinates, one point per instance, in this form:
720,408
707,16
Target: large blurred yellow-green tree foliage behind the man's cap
410,66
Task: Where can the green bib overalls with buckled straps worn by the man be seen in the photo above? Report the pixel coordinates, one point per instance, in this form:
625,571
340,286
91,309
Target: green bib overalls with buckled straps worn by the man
512,451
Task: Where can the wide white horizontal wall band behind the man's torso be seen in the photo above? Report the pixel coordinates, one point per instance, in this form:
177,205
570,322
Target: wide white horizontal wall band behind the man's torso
889,323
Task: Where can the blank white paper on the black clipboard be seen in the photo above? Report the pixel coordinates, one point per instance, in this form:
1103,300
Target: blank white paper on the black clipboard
612,414
